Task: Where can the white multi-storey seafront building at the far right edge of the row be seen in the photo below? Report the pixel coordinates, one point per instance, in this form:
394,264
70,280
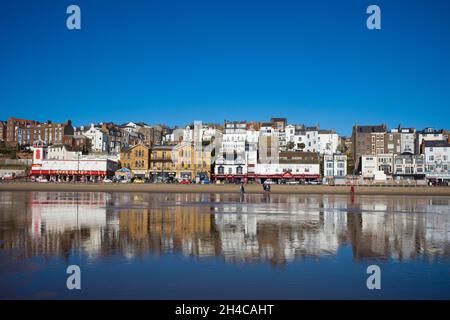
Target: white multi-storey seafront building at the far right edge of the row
437,160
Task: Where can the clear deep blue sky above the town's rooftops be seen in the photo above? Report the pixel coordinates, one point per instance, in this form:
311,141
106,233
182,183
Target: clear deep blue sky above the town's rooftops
174,62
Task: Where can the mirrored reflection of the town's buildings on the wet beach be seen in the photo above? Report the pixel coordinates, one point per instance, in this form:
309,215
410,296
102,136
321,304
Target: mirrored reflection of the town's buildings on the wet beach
252,228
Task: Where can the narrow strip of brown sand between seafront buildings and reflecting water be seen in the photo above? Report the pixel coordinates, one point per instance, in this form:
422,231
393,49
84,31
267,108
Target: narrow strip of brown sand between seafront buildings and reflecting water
175,188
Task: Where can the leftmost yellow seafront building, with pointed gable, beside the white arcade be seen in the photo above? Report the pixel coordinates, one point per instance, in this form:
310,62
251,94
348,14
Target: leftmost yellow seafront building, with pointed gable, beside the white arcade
137,159
